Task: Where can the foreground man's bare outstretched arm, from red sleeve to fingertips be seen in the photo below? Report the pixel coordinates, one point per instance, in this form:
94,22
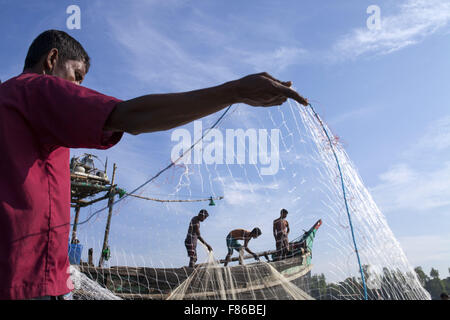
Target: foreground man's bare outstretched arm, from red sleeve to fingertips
159,112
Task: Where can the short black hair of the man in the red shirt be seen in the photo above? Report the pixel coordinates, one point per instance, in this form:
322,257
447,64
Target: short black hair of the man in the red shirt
68,48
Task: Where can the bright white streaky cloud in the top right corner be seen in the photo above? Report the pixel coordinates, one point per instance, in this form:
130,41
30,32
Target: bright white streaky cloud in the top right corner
415,20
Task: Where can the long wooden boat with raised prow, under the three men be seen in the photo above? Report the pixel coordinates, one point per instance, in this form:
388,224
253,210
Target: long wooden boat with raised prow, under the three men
250,281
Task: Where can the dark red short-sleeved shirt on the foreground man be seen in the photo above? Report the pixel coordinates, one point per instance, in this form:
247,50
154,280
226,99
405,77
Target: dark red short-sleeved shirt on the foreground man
41,117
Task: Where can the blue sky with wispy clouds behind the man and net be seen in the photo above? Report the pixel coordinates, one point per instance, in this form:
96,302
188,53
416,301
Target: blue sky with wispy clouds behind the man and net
384,93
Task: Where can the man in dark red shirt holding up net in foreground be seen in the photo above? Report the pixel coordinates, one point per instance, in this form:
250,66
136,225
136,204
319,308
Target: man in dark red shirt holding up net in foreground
43,112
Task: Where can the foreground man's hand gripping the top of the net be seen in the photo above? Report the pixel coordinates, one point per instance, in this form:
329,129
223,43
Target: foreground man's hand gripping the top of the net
262,89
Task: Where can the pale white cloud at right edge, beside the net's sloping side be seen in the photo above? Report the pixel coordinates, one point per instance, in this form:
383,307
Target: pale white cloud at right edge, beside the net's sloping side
420,181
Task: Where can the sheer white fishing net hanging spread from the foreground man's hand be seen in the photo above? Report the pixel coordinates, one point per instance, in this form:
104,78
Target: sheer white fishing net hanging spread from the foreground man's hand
243,167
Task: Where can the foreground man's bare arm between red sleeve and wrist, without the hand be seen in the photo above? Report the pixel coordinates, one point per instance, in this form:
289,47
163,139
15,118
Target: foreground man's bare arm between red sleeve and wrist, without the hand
159,112
